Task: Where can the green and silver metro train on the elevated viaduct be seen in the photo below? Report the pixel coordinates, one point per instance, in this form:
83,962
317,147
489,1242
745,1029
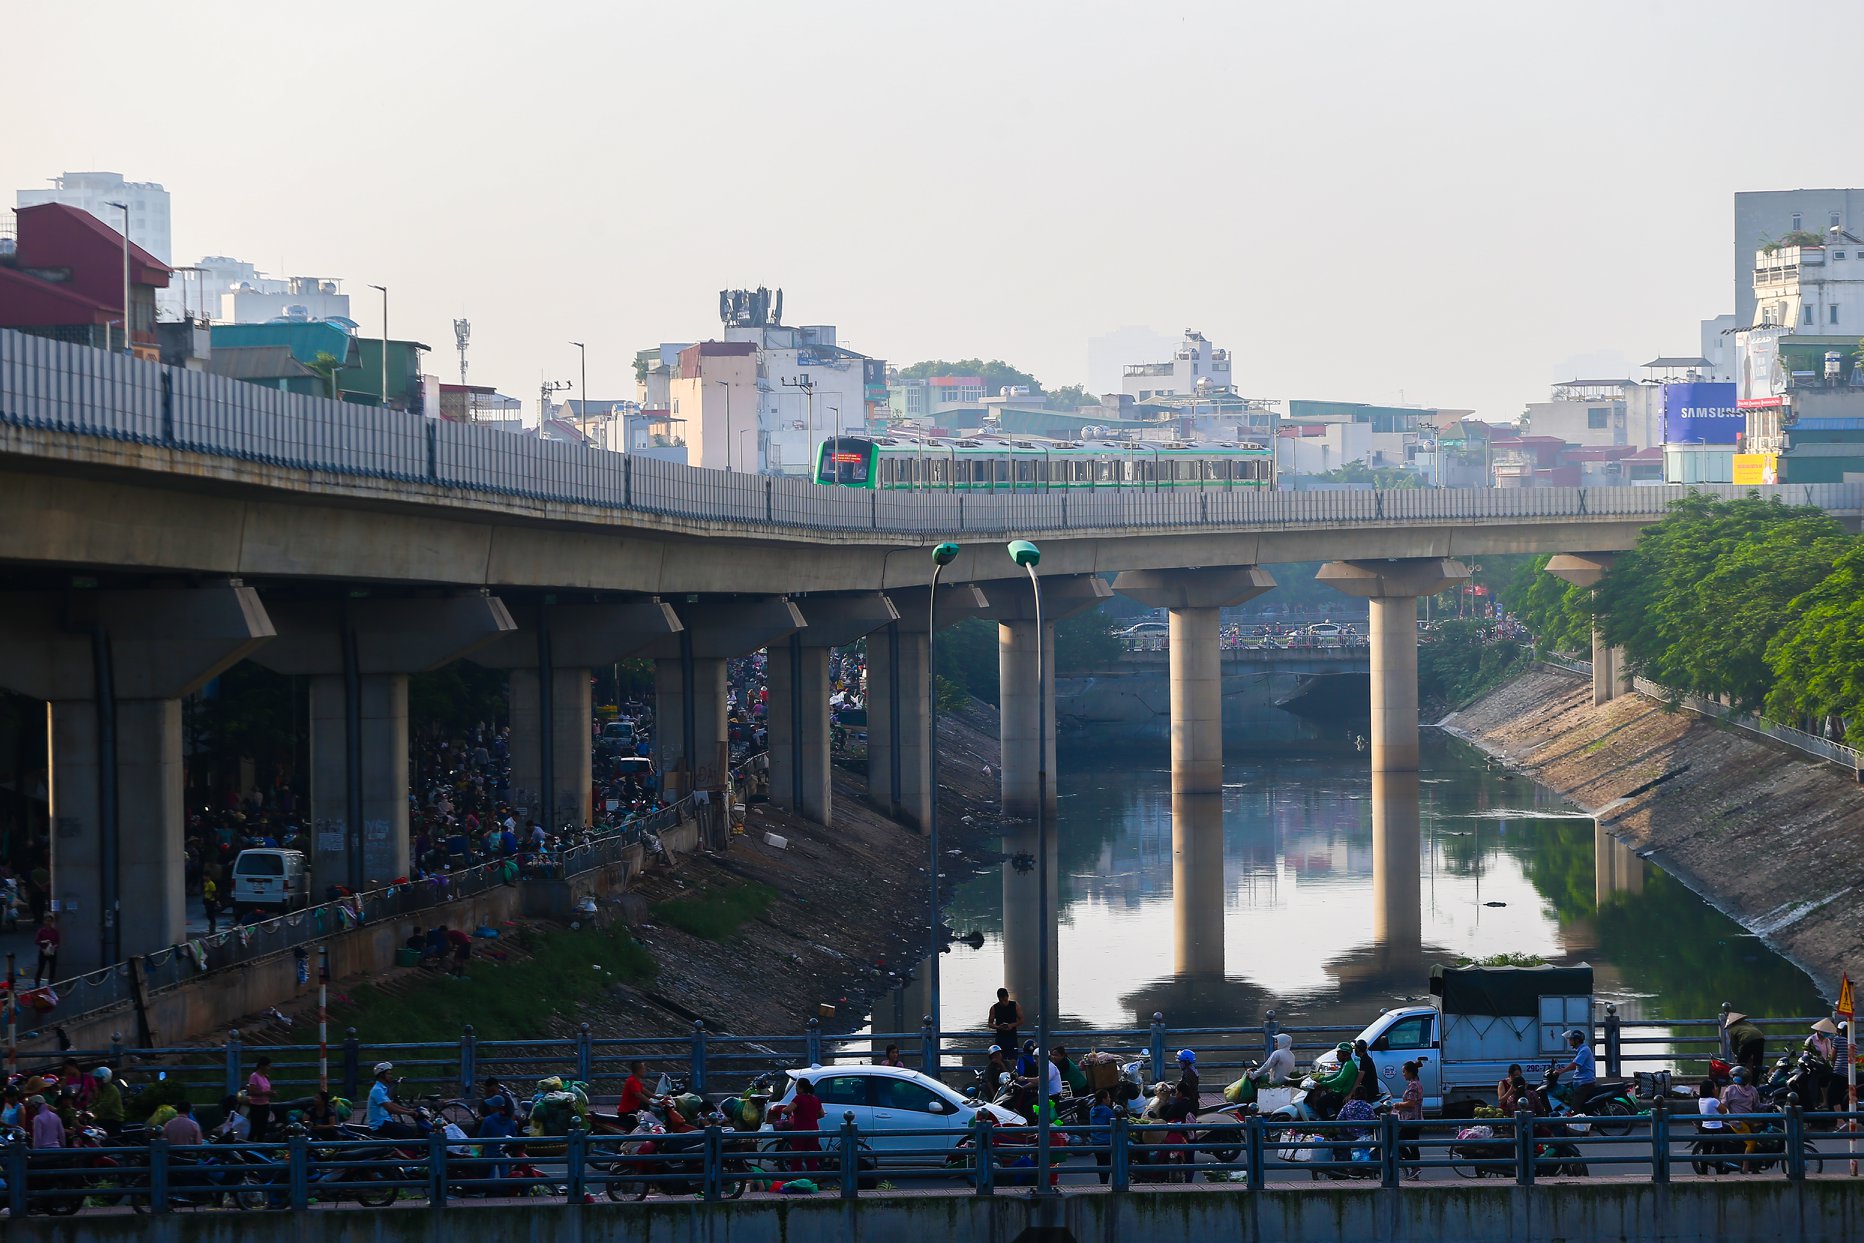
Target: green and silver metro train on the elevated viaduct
1017,463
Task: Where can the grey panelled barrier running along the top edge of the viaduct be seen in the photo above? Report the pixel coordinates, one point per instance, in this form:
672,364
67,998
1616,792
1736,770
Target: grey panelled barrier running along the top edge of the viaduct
72,389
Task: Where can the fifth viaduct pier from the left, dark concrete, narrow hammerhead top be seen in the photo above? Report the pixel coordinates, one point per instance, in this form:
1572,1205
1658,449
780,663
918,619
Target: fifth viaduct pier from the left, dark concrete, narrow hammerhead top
799,700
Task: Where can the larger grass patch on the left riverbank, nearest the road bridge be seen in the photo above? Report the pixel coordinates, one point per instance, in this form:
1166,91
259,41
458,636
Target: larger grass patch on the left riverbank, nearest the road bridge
500,1000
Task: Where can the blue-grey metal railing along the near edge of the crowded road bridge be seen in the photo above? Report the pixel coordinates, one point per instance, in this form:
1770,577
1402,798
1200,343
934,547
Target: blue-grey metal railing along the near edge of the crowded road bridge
1127,1154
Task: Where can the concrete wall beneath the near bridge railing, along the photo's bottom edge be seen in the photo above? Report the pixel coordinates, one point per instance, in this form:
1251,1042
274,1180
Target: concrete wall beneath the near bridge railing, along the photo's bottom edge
1725,1212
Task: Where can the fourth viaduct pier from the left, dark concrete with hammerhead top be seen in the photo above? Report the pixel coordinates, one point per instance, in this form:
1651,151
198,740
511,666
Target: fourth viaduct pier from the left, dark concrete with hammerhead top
692,737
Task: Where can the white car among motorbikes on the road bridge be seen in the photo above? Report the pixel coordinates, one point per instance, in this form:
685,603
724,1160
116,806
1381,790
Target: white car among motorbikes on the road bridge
892,1099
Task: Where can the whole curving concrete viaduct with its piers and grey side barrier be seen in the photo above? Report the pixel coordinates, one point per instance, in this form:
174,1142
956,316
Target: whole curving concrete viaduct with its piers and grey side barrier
161,526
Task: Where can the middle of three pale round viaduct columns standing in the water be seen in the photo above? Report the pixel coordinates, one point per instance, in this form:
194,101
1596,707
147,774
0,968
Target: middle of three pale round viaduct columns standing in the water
1194,603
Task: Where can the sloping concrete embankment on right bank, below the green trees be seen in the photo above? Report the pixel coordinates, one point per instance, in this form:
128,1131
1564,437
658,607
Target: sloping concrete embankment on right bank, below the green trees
1766,834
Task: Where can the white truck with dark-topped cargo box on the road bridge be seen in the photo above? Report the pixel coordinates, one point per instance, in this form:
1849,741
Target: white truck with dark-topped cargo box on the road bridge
1481,1022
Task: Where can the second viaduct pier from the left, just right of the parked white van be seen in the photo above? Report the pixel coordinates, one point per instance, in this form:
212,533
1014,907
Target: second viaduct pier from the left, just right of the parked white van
359,657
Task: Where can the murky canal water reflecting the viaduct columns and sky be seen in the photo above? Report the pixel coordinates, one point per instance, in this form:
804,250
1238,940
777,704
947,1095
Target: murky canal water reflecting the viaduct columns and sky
1317,894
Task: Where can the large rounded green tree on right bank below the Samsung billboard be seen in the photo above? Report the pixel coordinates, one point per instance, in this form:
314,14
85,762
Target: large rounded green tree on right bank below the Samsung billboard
1705,592
